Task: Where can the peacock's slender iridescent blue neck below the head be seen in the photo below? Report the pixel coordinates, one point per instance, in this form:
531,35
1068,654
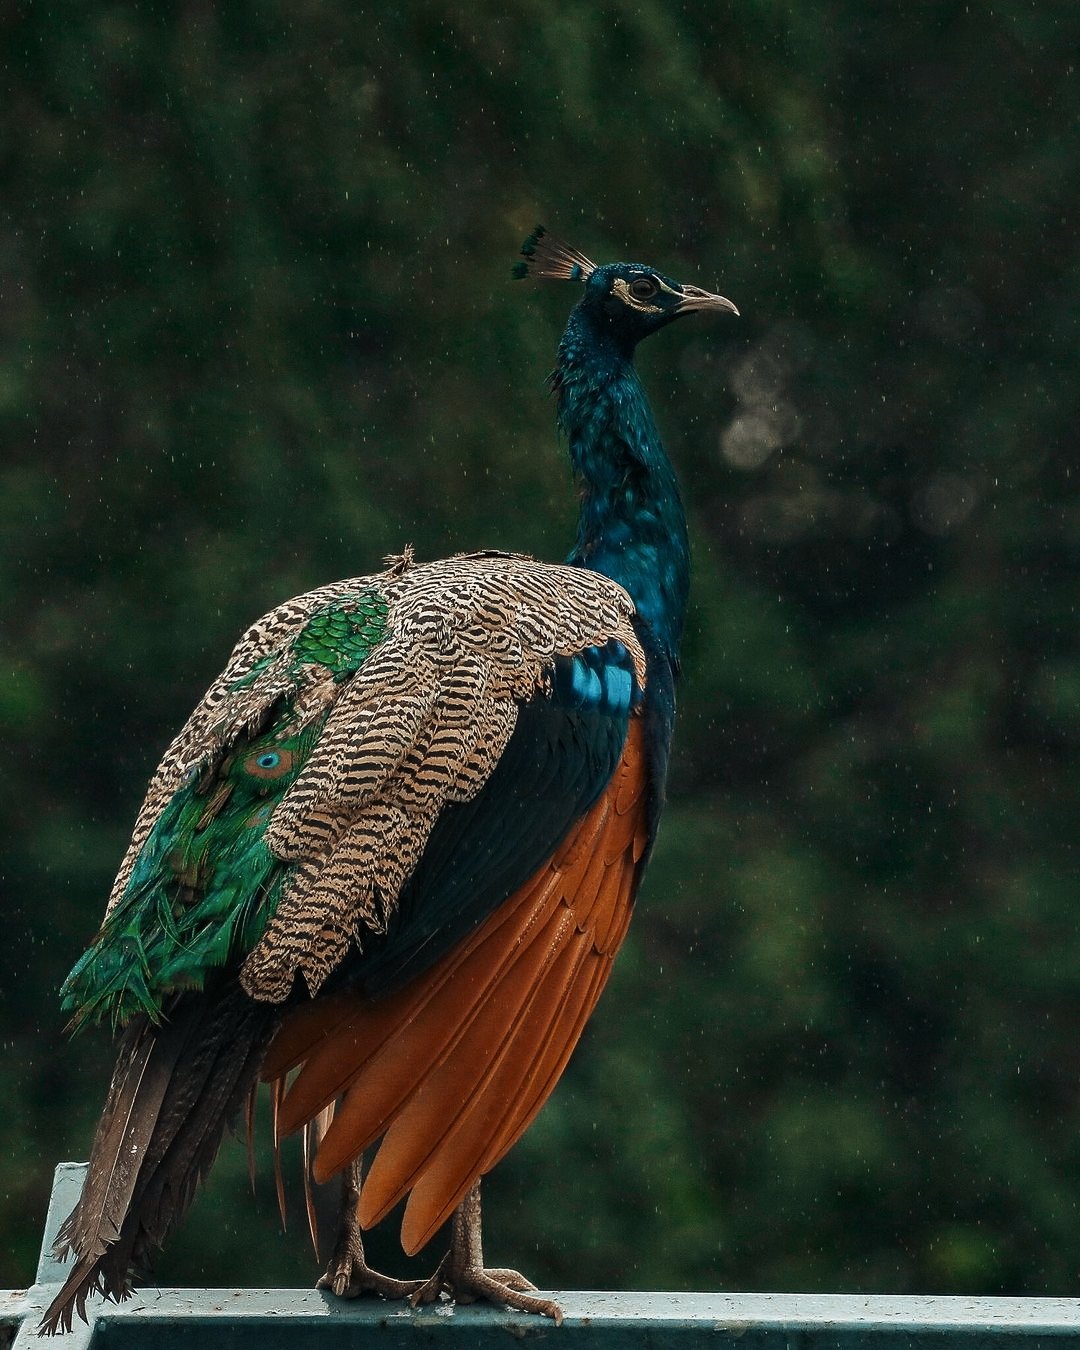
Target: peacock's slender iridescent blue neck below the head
632,526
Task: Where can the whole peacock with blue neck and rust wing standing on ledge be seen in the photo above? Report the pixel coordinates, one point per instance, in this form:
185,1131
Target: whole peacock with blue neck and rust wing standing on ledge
387,865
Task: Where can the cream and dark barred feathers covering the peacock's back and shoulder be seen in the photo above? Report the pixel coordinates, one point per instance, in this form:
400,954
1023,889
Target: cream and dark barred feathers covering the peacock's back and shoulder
422,724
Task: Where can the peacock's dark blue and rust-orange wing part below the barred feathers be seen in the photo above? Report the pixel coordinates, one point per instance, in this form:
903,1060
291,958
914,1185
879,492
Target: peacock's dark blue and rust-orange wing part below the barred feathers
453,1031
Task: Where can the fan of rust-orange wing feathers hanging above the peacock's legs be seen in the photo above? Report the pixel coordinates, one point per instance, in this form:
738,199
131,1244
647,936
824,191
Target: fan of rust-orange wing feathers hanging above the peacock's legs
453,1069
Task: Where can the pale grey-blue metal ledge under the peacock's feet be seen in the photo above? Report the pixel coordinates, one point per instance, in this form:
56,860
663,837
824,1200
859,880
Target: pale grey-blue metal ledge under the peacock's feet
232,1320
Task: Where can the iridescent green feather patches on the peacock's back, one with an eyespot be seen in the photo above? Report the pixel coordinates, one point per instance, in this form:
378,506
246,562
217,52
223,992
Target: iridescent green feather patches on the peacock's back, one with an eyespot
206,885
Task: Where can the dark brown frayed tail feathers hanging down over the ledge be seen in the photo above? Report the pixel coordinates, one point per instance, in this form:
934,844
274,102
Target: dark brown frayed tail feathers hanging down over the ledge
175,1090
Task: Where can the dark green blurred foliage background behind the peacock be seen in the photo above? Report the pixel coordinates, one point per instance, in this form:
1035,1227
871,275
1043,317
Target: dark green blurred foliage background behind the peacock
257,331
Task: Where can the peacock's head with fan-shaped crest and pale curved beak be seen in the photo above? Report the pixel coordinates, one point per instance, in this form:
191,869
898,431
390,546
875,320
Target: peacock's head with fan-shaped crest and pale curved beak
628,300
